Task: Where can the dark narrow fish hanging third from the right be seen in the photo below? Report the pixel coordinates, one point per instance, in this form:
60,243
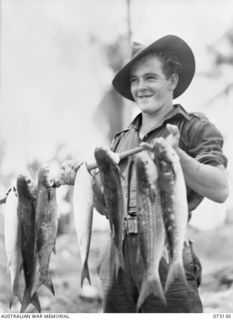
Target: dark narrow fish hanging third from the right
114,203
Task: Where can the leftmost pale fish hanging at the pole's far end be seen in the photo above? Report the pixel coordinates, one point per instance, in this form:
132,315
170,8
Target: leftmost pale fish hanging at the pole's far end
12,244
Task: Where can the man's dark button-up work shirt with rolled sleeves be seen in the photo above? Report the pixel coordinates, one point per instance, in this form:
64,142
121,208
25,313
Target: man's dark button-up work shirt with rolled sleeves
199,138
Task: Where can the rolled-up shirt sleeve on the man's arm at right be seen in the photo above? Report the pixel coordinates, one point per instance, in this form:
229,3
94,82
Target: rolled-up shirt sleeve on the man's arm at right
205,143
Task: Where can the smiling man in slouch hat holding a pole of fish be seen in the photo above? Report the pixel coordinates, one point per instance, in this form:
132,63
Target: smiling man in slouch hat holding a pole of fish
154,76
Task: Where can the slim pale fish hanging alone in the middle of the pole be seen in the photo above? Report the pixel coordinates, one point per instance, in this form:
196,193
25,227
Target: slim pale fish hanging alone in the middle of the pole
83,206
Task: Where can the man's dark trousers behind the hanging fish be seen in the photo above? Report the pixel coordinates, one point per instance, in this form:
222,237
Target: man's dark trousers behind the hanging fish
121,292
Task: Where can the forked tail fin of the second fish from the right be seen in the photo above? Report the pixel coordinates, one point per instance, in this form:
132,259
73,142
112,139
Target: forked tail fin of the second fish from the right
150,285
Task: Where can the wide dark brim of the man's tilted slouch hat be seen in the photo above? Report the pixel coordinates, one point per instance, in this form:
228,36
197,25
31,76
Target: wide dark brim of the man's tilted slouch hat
170,43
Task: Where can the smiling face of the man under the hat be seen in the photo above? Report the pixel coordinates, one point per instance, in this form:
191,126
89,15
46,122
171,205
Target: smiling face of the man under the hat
150,87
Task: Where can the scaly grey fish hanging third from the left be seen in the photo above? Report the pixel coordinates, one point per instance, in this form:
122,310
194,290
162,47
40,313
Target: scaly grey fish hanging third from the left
46,227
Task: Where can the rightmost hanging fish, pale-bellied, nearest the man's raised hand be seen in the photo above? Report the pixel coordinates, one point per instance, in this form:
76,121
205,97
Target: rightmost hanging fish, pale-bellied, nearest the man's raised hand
175,207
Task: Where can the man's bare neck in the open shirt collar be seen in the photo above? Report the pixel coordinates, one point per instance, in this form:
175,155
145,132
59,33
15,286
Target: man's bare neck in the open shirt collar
149,121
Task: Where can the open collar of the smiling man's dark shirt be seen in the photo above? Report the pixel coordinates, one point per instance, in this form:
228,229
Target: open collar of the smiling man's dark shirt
177,110
